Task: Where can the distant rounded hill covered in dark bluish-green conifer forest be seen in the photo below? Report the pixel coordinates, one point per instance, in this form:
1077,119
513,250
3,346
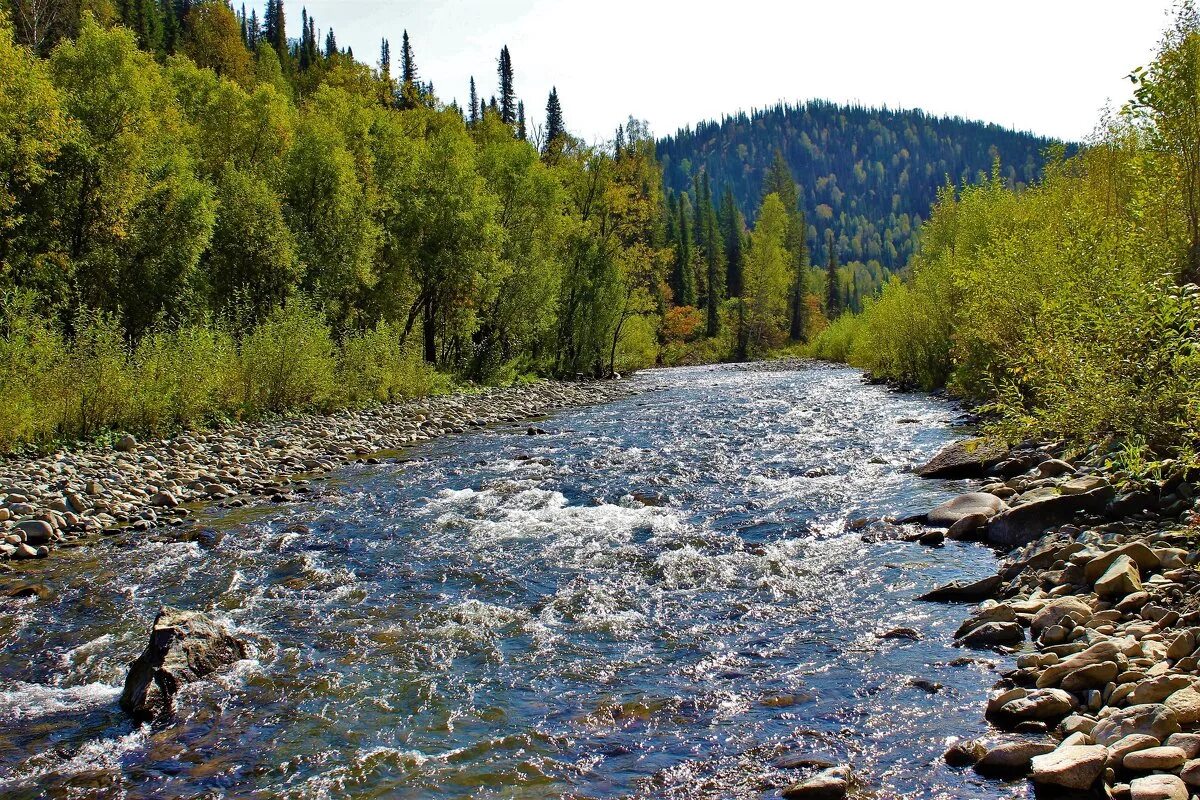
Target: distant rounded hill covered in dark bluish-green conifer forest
868,175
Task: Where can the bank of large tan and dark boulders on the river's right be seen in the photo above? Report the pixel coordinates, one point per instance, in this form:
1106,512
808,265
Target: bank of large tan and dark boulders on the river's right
1100,599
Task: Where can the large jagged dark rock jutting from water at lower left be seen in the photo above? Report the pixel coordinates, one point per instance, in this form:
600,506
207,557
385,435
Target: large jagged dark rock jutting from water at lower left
184,647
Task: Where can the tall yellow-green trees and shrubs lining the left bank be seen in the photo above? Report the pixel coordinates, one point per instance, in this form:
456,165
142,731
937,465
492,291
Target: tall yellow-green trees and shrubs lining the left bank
188,190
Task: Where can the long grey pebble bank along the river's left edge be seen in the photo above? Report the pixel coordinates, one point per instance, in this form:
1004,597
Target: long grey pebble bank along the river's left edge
65,500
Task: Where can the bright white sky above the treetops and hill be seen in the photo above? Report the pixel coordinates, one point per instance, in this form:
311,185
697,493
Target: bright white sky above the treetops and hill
1047,67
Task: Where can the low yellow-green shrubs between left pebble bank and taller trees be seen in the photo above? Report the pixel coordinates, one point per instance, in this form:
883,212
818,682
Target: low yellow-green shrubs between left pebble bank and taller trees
58,387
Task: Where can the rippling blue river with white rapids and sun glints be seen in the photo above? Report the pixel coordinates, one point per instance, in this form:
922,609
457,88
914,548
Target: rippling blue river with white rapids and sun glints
662,598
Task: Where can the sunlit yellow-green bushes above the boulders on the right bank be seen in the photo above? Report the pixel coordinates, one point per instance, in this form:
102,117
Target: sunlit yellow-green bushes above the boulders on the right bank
1070,308
